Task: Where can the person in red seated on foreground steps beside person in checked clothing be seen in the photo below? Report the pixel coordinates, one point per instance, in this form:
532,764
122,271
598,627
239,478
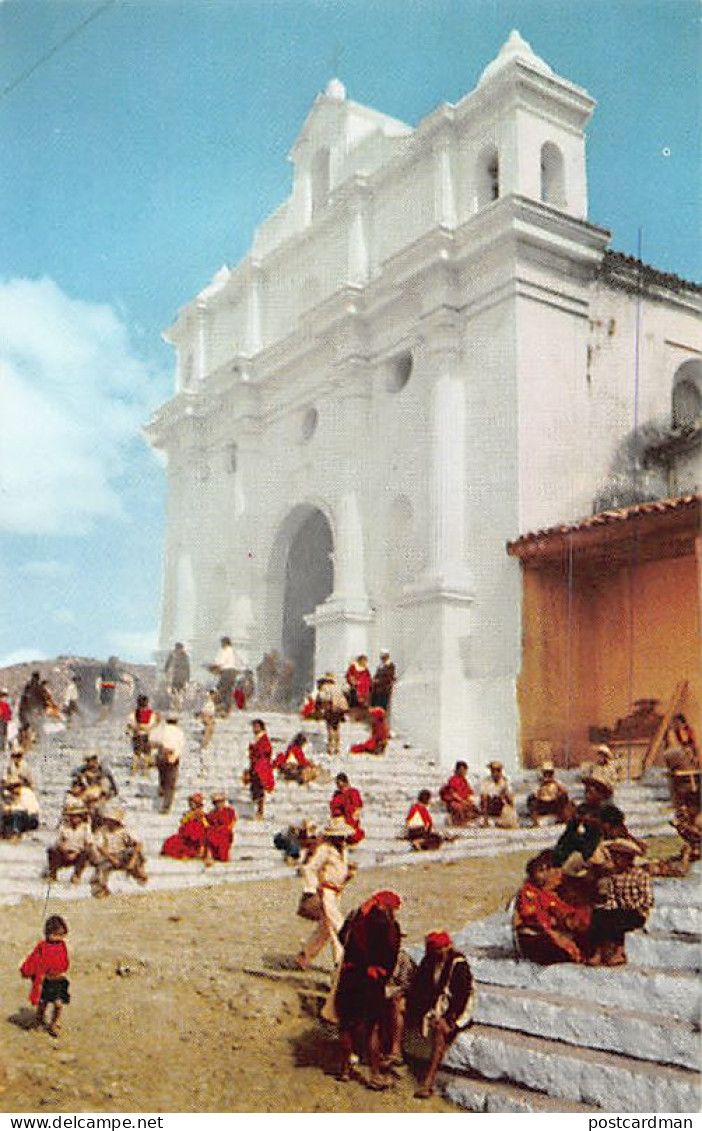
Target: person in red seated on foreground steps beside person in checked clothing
549,930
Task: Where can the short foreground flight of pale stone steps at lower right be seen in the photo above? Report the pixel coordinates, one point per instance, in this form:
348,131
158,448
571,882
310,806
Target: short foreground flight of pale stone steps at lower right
621,1040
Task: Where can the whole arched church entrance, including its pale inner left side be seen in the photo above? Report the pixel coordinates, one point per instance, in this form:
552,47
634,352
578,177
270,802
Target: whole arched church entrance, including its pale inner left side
301,579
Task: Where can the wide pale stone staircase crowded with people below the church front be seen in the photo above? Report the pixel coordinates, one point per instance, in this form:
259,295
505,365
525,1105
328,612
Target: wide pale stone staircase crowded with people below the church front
388,784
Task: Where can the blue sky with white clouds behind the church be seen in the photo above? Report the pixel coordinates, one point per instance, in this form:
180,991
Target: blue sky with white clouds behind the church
140,158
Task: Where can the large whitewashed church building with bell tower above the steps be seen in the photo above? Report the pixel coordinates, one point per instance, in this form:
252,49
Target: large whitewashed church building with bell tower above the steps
428,352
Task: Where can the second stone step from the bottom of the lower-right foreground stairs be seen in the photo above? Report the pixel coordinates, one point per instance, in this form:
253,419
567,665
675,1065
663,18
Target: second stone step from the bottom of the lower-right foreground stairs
608,1081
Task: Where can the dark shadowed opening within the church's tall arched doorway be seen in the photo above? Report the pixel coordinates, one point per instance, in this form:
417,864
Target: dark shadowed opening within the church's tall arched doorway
308,582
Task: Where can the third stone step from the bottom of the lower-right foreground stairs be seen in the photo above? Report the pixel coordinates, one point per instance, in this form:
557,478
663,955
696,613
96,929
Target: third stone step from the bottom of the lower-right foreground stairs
643,1037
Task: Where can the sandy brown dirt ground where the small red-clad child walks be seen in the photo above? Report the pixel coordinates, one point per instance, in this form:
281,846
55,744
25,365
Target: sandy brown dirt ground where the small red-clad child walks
164,1017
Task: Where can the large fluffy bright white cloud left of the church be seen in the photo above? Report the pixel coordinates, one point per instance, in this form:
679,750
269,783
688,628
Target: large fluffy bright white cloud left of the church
74,400
